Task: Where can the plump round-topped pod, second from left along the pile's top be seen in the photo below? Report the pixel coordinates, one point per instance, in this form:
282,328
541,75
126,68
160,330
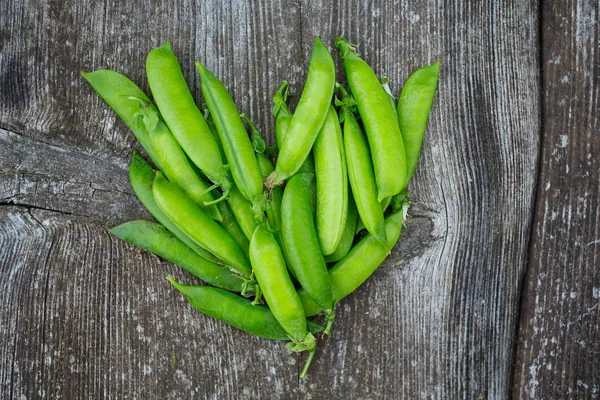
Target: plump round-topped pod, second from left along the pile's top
185,120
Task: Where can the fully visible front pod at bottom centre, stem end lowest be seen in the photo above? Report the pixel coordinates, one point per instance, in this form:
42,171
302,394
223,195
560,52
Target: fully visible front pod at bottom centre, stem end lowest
277,288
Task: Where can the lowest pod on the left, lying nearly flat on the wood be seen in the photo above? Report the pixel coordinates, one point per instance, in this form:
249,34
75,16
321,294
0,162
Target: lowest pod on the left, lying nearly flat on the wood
235,311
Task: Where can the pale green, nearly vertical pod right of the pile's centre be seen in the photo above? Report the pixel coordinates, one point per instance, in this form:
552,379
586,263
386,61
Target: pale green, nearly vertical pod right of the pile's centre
332,183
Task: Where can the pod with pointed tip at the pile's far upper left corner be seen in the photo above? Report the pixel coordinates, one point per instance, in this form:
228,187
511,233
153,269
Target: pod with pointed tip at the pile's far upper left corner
120,94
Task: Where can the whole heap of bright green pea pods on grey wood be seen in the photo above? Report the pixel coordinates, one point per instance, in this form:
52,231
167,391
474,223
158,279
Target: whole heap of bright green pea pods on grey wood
274,243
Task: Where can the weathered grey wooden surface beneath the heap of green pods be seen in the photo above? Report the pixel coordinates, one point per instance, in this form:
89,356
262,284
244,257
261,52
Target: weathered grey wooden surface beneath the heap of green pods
493,289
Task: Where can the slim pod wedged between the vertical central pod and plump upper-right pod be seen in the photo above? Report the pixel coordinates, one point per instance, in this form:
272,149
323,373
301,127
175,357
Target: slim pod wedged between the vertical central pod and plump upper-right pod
360,173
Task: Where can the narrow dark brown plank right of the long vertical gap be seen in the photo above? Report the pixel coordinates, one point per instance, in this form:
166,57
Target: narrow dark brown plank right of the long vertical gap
558,350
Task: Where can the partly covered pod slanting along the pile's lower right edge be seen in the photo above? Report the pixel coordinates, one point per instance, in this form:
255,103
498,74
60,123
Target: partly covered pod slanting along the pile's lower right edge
360,263
